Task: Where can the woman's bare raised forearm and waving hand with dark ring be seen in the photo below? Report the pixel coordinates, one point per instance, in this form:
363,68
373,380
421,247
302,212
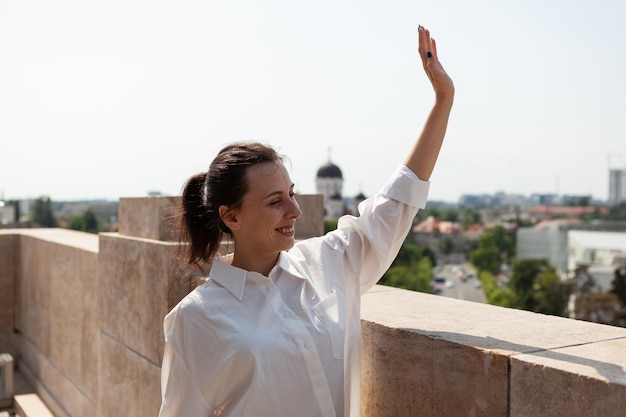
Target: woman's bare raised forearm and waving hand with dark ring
423,156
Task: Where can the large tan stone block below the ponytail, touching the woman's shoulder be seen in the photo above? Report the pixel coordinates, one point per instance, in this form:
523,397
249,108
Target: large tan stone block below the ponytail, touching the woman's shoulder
141,280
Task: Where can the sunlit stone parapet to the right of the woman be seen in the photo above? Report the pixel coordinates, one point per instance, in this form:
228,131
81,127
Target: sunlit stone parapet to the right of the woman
426,355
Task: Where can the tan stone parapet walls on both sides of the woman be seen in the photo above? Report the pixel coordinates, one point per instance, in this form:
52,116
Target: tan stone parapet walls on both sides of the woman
82,315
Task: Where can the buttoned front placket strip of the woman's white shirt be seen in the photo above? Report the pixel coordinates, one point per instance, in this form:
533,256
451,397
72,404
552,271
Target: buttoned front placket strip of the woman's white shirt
303,340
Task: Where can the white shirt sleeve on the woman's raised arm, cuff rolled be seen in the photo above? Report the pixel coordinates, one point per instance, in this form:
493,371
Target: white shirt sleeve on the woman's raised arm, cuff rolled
372,240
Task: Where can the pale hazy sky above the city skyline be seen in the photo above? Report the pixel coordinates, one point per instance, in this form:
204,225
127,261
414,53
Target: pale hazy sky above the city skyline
116,98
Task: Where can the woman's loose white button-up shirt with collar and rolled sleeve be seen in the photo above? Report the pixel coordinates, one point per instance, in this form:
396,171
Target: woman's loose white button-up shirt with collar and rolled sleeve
286,345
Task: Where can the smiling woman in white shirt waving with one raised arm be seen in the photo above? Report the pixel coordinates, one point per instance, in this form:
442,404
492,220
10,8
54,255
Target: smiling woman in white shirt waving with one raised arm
275,331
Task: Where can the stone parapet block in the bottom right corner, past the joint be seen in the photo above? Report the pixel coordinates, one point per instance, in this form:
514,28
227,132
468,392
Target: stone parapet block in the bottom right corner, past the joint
574,381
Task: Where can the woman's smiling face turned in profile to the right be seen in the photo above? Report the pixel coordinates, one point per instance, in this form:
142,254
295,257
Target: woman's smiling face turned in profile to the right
265,222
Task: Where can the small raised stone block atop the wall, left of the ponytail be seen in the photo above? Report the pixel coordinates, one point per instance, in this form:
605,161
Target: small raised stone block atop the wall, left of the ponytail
148,217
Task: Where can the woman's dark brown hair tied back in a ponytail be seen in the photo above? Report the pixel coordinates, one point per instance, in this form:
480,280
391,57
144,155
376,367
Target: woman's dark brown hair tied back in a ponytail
200,227
